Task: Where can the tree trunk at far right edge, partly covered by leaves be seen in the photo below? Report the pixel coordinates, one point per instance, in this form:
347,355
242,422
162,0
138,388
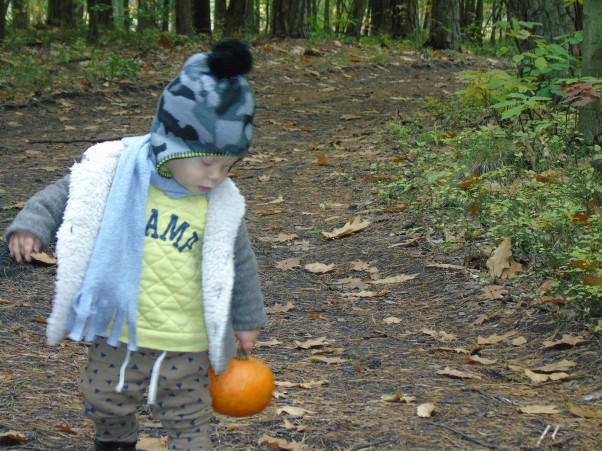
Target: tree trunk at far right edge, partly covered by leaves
590,116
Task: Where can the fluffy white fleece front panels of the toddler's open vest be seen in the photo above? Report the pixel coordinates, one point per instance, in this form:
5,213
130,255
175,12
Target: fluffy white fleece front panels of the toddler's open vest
88,190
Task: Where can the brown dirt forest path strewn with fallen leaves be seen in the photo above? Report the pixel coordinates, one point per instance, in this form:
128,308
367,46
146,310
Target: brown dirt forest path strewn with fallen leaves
354,351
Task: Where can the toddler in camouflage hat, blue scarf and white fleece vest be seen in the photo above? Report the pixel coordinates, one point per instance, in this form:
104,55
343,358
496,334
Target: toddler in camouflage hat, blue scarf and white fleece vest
155,267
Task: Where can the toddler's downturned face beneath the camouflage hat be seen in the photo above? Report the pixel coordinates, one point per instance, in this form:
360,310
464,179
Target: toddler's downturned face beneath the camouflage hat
200,174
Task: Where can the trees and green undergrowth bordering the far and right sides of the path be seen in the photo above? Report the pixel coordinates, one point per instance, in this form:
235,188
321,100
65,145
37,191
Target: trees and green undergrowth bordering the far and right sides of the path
511,164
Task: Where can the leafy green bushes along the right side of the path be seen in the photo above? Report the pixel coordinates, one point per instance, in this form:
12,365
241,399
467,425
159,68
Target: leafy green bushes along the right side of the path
507,161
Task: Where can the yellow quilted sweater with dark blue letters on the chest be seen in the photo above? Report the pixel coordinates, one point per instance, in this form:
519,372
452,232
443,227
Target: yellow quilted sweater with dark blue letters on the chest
170,304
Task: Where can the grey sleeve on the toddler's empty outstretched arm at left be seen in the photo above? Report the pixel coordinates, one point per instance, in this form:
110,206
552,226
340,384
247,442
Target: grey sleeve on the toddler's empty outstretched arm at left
41,215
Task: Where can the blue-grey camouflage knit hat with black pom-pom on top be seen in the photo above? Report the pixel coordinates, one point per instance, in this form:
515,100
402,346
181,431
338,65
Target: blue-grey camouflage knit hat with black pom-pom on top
207,109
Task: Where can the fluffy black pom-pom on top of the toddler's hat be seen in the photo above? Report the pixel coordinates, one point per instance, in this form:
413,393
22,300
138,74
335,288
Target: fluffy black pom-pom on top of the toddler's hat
230,58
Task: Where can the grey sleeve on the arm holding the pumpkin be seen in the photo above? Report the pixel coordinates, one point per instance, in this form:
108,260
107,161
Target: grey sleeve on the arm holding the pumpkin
248,312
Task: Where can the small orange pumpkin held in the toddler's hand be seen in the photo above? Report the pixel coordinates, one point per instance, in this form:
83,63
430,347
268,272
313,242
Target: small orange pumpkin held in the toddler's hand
244,388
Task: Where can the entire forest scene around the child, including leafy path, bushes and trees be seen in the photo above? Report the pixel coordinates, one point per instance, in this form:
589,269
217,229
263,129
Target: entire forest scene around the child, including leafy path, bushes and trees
465,134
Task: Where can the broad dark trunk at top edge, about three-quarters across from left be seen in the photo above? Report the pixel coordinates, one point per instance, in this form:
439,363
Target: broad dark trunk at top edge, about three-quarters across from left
445,25
